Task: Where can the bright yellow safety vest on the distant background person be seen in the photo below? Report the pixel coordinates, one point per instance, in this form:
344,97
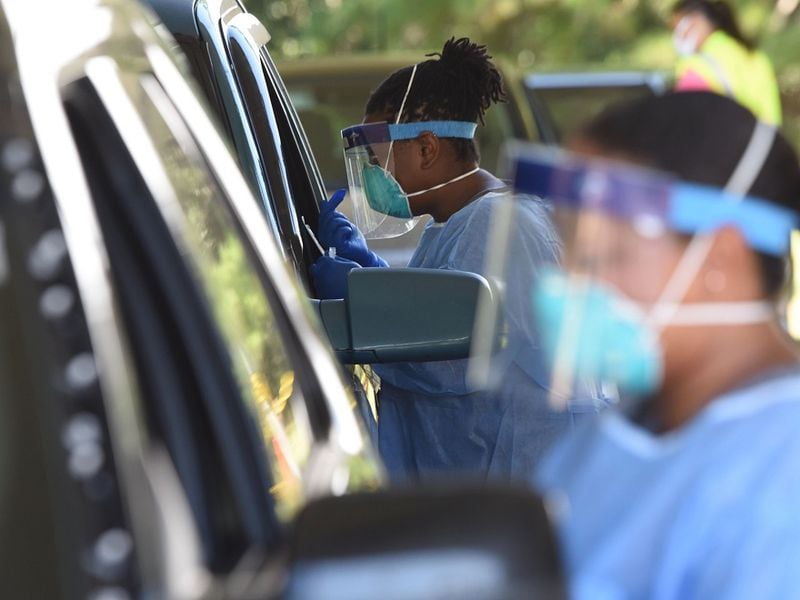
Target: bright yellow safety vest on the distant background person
732,70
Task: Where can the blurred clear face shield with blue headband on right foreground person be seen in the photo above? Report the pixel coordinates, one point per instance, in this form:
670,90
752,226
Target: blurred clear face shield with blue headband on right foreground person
634,242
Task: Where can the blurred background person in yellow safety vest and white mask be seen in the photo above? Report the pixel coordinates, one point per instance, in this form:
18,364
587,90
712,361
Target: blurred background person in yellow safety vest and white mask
716,56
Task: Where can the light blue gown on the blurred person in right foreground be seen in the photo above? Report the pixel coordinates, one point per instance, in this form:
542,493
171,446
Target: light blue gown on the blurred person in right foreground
711,510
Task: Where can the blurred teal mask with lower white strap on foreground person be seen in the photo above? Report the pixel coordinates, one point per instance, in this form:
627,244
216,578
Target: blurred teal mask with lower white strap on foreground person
590,331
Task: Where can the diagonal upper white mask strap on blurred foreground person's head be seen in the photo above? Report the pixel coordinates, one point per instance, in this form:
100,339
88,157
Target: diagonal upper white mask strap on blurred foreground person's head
739,184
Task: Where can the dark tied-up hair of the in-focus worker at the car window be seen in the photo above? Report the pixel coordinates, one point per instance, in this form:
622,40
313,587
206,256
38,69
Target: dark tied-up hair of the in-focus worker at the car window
459,85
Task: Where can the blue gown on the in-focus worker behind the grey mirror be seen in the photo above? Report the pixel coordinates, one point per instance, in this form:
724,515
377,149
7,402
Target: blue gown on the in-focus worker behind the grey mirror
431,422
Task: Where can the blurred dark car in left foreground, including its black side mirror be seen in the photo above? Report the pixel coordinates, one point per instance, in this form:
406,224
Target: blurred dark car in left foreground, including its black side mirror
174,425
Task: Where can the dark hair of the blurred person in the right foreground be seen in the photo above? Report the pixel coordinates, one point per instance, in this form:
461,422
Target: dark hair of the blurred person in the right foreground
700,137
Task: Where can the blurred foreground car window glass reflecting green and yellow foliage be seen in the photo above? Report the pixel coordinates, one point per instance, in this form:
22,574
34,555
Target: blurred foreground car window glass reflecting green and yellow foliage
217,253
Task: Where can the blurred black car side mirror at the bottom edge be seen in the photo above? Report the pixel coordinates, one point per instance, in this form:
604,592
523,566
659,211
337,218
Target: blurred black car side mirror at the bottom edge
446,542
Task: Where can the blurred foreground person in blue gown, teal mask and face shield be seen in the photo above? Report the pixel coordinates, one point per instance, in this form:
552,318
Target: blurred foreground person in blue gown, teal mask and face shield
675,255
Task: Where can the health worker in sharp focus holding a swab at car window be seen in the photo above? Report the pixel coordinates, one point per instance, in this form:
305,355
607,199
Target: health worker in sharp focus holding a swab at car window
414,154
